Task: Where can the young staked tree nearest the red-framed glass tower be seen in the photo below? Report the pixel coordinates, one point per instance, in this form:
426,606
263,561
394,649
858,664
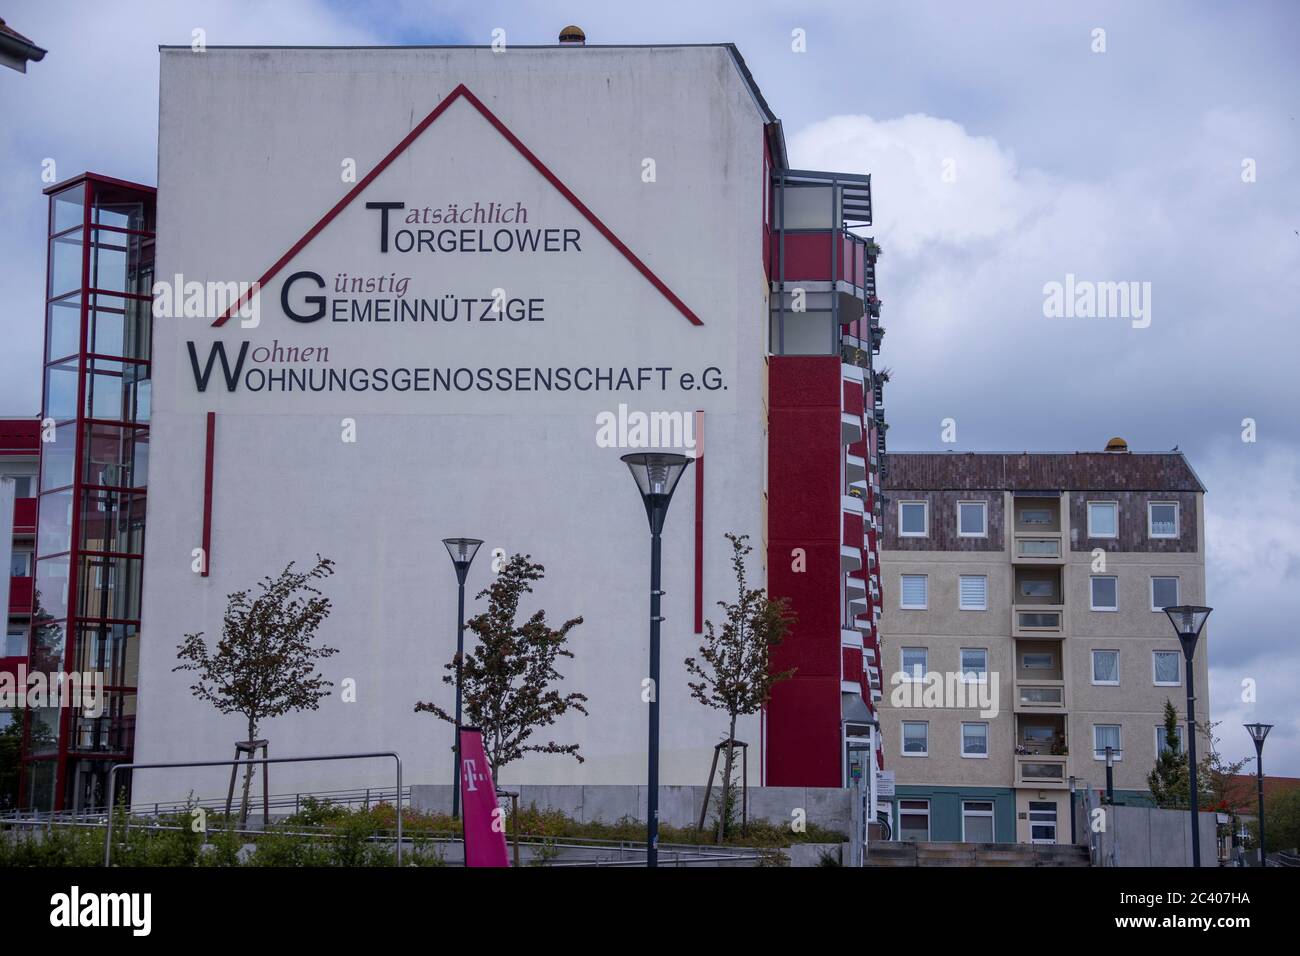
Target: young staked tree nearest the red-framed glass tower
265,665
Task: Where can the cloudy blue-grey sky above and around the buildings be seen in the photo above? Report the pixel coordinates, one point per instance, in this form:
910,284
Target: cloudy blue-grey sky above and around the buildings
1007,150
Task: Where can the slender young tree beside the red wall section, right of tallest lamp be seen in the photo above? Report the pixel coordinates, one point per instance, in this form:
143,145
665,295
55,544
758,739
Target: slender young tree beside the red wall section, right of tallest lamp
735,667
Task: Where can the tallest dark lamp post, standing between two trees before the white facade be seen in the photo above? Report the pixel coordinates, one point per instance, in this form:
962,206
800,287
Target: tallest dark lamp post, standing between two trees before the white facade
657,477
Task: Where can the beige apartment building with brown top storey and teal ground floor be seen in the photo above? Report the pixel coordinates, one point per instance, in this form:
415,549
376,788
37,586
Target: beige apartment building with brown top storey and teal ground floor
1024,633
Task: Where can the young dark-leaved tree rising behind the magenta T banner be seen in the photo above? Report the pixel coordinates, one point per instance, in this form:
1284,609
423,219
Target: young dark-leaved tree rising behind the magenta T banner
506,680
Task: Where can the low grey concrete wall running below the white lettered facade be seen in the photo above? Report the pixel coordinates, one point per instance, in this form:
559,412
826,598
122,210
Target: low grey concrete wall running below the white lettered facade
826,807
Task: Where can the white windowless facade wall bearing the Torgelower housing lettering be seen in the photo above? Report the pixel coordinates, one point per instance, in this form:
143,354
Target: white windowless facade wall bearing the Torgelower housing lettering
252,149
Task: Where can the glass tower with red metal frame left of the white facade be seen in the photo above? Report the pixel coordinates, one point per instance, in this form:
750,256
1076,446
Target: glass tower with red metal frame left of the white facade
94,469
